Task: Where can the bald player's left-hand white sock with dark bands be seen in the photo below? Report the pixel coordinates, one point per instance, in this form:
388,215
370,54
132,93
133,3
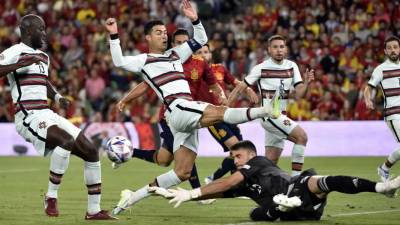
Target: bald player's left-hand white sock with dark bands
59,161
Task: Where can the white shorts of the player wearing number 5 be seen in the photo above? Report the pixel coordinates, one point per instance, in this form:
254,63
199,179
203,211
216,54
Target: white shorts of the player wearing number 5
277,130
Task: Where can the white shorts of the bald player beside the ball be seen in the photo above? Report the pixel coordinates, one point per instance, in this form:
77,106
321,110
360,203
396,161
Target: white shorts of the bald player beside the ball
33,127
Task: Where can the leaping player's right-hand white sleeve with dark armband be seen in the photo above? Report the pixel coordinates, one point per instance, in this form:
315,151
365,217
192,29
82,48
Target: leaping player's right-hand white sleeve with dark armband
199,39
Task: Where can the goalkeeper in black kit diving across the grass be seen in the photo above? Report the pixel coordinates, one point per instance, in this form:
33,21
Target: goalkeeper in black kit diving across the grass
304,197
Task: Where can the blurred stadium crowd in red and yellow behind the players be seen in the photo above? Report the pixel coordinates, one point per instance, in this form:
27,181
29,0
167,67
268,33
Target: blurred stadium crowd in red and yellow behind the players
341,39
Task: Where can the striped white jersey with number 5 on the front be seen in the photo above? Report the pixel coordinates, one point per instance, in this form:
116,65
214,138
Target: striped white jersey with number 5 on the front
271,77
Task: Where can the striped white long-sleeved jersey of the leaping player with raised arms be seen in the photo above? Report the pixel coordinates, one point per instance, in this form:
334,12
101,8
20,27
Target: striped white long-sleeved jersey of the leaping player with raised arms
162,72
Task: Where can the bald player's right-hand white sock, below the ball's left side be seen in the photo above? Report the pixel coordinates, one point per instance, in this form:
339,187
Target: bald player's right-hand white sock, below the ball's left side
92,172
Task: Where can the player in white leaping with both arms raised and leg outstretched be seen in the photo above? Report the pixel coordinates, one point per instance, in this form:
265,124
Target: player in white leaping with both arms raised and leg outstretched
162,70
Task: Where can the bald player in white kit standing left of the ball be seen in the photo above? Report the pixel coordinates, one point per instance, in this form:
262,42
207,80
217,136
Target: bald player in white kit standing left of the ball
26,67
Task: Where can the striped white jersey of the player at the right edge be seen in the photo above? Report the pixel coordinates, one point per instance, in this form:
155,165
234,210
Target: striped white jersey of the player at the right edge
387,74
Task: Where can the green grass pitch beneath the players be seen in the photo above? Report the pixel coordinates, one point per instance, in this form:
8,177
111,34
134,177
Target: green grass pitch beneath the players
23,181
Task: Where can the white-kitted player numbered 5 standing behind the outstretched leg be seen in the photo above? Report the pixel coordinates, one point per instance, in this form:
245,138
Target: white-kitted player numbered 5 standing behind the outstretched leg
279,74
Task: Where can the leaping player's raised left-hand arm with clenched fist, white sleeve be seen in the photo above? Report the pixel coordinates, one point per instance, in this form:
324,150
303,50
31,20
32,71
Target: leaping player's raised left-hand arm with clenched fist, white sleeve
130,63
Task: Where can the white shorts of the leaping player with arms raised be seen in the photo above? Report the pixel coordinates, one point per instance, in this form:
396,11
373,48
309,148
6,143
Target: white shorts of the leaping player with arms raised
184,121
